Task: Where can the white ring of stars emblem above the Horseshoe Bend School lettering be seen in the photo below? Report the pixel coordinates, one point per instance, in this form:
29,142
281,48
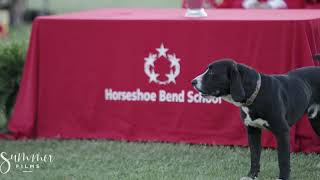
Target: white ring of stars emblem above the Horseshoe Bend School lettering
149,66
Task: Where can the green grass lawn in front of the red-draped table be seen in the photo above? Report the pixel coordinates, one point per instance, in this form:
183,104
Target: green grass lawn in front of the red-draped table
111,160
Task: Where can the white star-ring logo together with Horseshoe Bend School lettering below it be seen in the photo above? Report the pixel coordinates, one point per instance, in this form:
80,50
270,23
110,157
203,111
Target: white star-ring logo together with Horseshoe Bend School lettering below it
162,68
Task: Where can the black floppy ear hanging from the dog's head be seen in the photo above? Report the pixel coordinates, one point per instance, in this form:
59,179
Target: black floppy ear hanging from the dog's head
236,88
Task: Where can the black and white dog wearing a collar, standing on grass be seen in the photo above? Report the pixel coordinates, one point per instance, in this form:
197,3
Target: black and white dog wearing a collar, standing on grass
273,102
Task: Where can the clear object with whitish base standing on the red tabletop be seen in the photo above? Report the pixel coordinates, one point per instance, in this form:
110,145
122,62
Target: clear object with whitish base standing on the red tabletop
195,9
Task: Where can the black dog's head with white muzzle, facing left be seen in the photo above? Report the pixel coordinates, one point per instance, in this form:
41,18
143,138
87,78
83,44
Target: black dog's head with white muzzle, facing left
221,78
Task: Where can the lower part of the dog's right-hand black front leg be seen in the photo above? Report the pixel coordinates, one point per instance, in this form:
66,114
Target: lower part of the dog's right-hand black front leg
283,142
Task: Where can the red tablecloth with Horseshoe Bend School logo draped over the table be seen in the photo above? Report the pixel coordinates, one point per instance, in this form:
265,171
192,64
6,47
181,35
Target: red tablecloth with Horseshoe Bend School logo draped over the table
125,73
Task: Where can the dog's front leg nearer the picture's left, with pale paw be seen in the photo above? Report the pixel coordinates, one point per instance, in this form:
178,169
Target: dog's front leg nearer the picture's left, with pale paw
254,140
